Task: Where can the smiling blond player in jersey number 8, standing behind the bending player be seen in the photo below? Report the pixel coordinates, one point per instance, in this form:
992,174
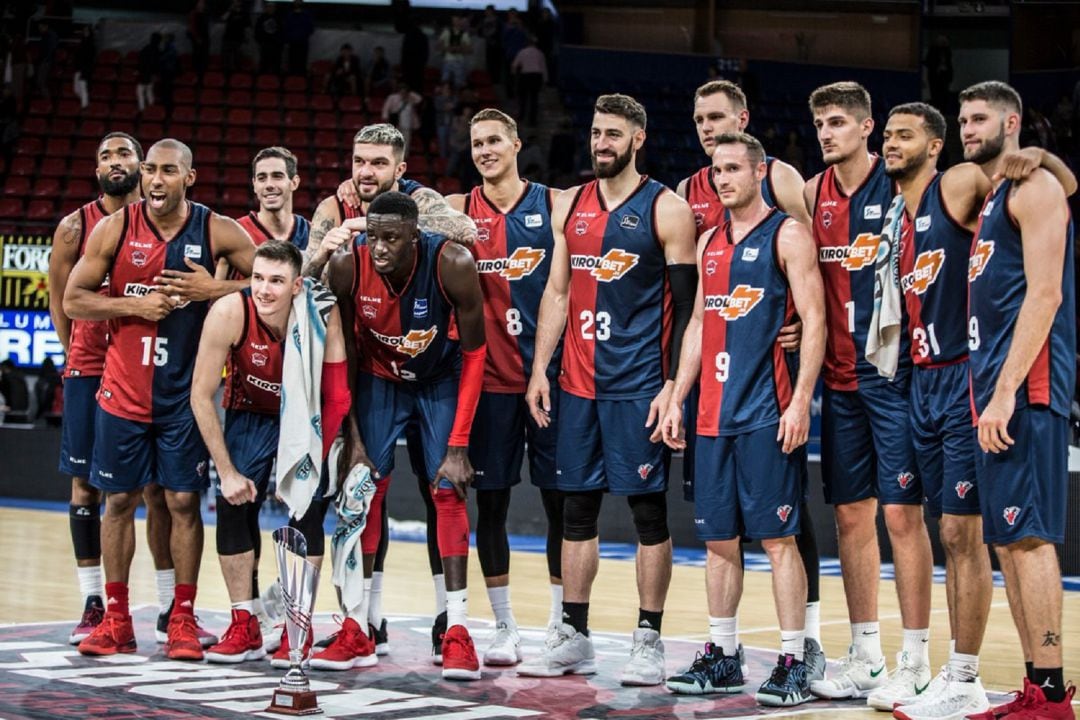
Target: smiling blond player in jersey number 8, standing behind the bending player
514,257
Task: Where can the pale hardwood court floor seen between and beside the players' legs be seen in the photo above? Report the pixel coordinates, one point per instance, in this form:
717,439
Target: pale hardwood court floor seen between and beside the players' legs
40,585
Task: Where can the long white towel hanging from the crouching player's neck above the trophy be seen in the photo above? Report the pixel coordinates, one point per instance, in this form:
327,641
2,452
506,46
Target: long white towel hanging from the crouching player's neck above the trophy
301,441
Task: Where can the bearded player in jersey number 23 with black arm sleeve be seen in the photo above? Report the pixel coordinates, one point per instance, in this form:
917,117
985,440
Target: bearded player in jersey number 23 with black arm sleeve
622,242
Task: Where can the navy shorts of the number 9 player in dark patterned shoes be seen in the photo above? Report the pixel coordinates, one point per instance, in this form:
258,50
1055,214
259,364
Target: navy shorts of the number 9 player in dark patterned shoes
747,486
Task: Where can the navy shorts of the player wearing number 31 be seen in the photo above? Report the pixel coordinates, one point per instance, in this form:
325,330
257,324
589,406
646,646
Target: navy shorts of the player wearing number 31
944,445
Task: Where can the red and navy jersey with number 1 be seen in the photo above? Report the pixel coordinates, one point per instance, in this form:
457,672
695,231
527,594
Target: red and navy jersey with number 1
847,232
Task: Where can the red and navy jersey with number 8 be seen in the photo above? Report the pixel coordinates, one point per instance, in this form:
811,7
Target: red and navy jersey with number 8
514,257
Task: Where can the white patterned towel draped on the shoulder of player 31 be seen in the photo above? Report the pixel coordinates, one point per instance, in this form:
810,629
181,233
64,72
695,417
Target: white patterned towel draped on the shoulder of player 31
883,341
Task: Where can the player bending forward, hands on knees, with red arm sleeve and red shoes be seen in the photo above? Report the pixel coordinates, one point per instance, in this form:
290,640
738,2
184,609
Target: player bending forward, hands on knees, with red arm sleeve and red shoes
399,290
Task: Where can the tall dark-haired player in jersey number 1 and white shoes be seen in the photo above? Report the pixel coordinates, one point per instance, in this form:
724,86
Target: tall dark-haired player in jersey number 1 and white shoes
867,440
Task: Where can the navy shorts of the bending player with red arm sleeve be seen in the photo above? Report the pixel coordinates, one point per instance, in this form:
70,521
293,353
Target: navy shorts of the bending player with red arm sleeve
385,407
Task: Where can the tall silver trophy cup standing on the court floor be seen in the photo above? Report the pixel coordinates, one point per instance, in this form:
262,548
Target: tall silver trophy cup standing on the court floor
300,580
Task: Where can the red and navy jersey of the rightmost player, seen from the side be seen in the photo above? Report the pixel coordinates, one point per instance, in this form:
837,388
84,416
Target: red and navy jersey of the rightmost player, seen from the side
996,290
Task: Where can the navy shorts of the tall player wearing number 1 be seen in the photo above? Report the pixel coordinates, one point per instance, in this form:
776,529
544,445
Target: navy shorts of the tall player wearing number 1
867,445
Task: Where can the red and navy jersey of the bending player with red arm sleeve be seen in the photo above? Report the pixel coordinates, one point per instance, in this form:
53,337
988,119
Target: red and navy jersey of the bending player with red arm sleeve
409,335
